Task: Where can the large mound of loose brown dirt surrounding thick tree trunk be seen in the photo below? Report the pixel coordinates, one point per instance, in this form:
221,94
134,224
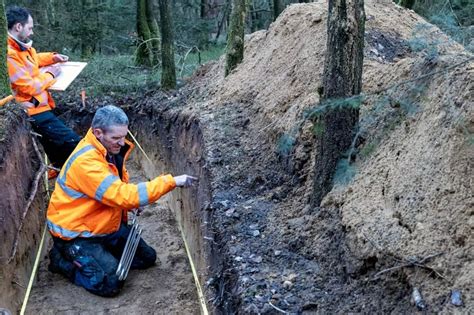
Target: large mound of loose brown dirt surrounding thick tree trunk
411,196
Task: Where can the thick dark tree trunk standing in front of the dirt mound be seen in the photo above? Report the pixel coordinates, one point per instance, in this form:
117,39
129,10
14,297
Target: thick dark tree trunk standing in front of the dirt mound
342,78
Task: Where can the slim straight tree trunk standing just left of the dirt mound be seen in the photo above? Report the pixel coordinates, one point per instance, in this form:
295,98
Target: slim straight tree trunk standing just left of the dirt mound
168,74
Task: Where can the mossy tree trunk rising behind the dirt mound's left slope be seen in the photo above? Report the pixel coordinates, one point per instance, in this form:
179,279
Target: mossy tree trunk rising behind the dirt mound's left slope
235,38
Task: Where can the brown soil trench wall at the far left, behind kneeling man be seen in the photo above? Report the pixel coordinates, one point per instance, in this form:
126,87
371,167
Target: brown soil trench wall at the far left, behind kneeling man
21,211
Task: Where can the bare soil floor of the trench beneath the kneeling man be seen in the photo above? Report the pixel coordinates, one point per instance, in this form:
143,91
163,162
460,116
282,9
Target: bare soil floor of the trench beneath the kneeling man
167,288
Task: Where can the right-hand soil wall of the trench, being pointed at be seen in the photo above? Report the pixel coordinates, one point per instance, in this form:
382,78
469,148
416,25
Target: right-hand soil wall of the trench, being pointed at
173,141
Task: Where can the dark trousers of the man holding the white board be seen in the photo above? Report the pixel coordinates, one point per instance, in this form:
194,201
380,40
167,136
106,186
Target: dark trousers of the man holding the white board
58,140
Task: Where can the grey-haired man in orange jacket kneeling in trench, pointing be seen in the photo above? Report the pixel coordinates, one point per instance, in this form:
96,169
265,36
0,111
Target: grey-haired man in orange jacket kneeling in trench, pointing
87,212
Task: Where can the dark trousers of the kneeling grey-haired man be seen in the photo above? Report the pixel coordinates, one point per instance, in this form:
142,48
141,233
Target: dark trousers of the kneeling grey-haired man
96,259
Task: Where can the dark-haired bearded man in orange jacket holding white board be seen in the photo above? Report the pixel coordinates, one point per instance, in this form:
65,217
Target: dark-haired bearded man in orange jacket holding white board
31,74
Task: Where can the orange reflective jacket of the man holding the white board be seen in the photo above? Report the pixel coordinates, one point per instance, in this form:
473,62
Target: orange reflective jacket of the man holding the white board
28,83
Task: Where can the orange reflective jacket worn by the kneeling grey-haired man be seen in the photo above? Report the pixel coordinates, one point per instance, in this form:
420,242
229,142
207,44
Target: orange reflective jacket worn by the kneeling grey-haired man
89,198
